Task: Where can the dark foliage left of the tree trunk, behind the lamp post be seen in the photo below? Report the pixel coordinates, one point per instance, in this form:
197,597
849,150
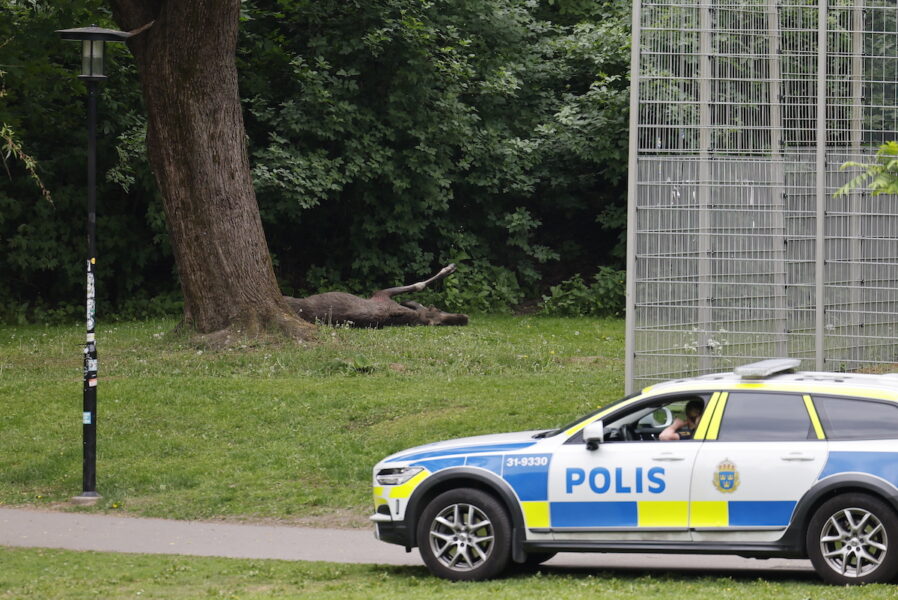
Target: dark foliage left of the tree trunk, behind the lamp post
42,247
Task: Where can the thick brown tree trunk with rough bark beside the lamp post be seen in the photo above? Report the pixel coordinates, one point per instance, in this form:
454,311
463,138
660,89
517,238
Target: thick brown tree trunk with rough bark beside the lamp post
197,150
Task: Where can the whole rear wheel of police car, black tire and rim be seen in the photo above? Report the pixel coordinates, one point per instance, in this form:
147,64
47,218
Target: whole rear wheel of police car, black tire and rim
852,539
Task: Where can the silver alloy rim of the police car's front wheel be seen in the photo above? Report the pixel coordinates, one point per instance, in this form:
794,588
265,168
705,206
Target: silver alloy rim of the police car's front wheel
461,537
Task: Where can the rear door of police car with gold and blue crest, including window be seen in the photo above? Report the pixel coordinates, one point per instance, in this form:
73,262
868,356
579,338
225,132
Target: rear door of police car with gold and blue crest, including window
762,452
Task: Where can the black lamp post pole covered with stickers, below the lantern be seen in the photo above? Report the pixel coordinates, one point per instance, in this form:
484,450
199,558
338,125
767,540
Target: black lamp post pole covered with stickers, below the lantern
90,349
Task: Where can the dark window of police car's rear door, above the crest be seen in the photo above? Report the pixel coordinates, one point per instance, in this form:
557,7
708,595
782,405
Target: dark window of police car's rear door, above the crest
757,417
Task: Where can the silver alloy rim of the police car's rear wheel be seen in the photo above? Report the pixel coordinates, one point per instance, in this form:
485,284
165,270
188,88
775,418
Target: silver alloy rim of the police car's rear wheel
853,542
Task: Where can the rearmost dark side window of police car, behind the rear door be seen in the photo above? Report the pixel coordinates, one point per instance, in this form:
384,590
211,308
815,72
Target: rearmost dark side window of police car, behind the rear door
854,419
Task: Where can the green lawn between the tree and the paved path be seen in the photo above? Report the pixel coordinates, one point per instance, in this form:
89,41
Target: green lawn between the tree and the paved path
279,431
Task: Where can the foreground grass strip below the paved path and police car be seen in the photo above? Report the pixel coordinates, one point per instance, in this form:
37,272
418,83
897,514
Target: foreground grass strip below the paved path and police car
50,574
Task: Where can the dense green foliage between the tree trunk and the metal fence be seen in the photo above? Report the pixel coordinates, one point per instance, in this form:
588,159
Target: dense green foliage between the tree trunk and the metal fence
397,135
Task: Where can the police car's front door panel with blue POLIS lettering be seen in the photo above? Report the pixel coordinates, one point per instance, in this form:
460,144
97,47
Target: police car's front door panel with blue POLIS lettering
625,489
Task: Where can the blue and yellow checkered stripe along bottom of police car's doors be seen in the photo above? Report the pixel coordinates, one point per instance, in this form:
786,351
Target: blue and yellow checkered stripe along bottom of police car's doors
660,514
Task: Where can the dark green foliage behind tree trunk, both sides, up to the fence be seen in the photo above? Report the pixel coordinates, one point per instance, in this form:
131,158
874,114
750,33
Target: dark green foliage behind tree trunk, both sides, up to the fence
387,138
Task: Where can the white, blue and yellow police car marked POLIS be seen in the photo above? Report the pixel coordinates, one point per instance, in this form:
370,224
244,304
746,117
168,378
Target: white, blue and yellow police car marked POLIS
779,464
